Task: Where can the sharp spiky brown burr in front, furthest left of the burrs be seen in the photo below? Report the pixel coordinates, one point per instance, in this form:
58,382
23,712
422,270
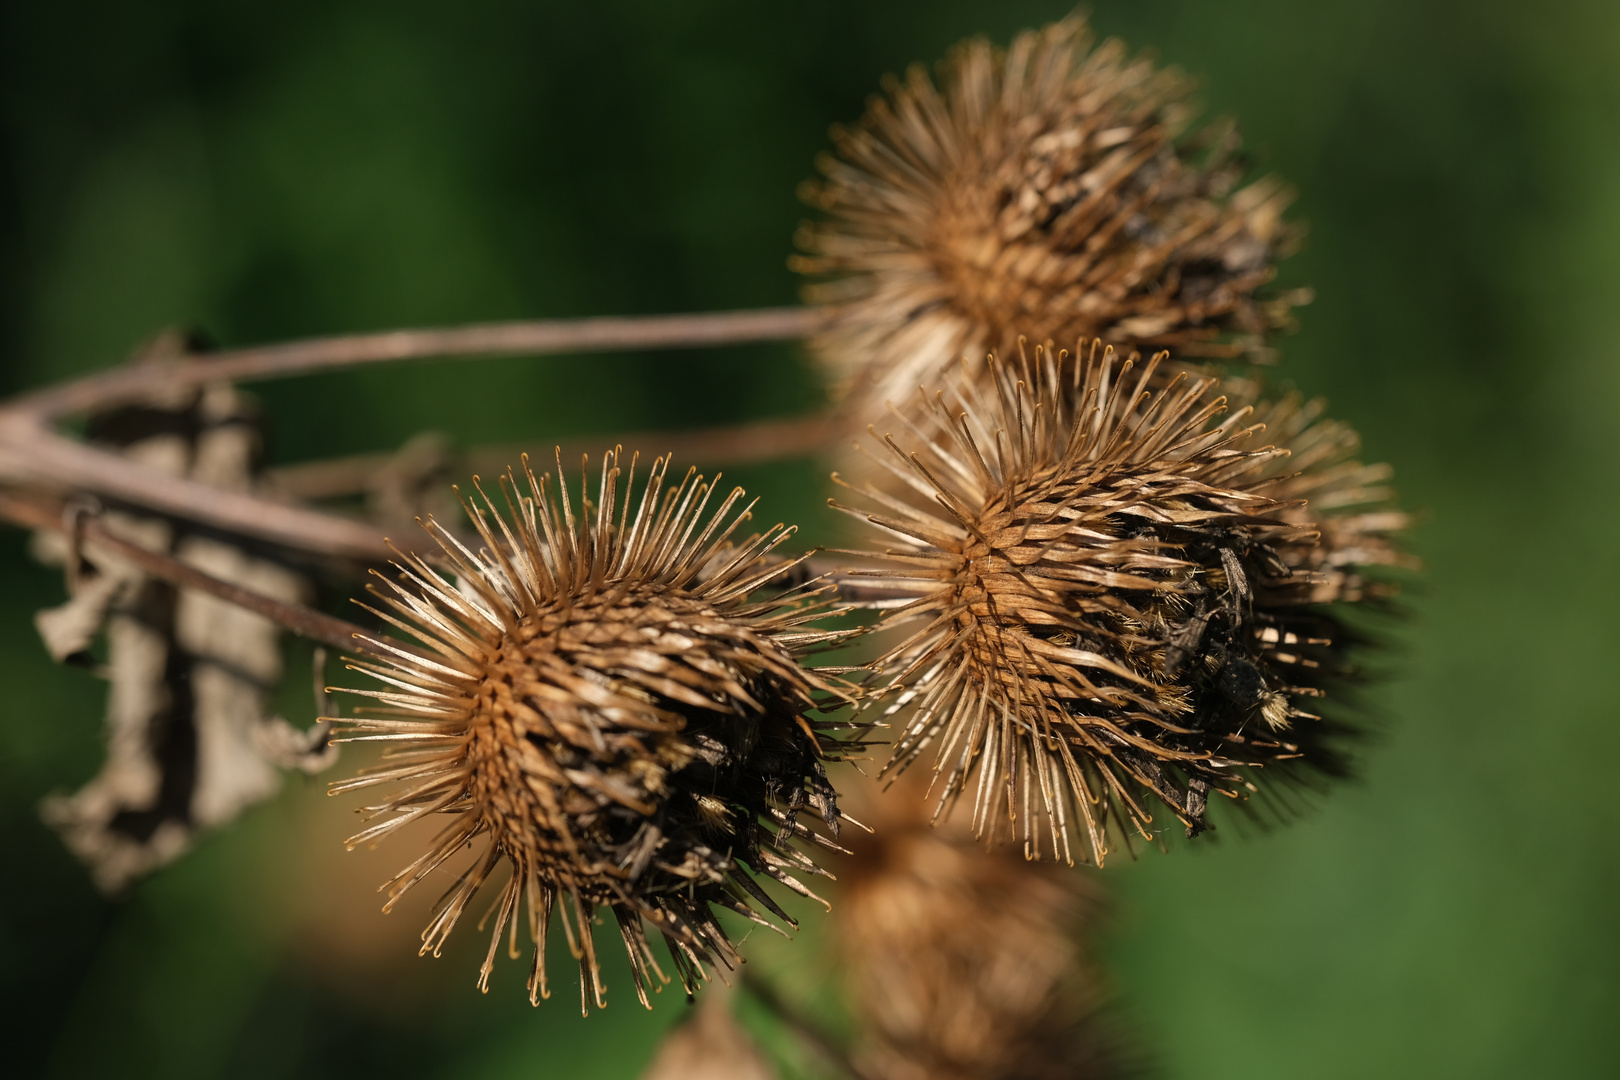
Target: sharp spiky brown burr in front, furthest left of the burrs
608,705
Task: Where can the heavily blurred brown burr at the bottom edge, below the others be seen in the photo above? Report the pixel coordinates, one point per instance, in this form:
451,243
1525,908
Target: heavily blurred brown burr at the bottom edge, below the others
966,964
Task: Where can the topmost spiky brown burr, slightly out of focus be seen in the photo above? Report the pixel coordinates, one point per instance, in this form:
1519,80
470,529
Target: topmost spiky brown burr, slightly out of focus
1051,190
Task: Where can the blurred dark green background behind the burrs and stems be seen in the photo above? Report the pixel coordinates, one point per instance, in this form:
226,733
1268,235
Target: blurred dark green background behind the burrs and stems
276,171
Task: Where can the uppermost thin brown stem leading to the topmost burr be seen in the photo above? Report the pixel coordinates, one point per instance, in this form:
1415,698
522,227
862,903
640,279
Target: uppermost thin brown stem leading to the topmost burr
495,339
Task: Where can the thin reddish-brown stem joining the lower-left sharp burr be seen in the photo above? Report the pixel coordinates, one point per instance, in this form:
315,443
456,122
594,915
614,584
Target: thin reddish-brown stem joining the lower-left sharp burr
294,618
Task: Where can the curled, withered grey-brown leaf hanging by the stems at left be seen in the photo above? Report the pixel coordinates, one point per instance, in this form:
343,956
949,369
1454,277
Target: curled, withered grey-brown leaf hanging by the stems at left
189,741
